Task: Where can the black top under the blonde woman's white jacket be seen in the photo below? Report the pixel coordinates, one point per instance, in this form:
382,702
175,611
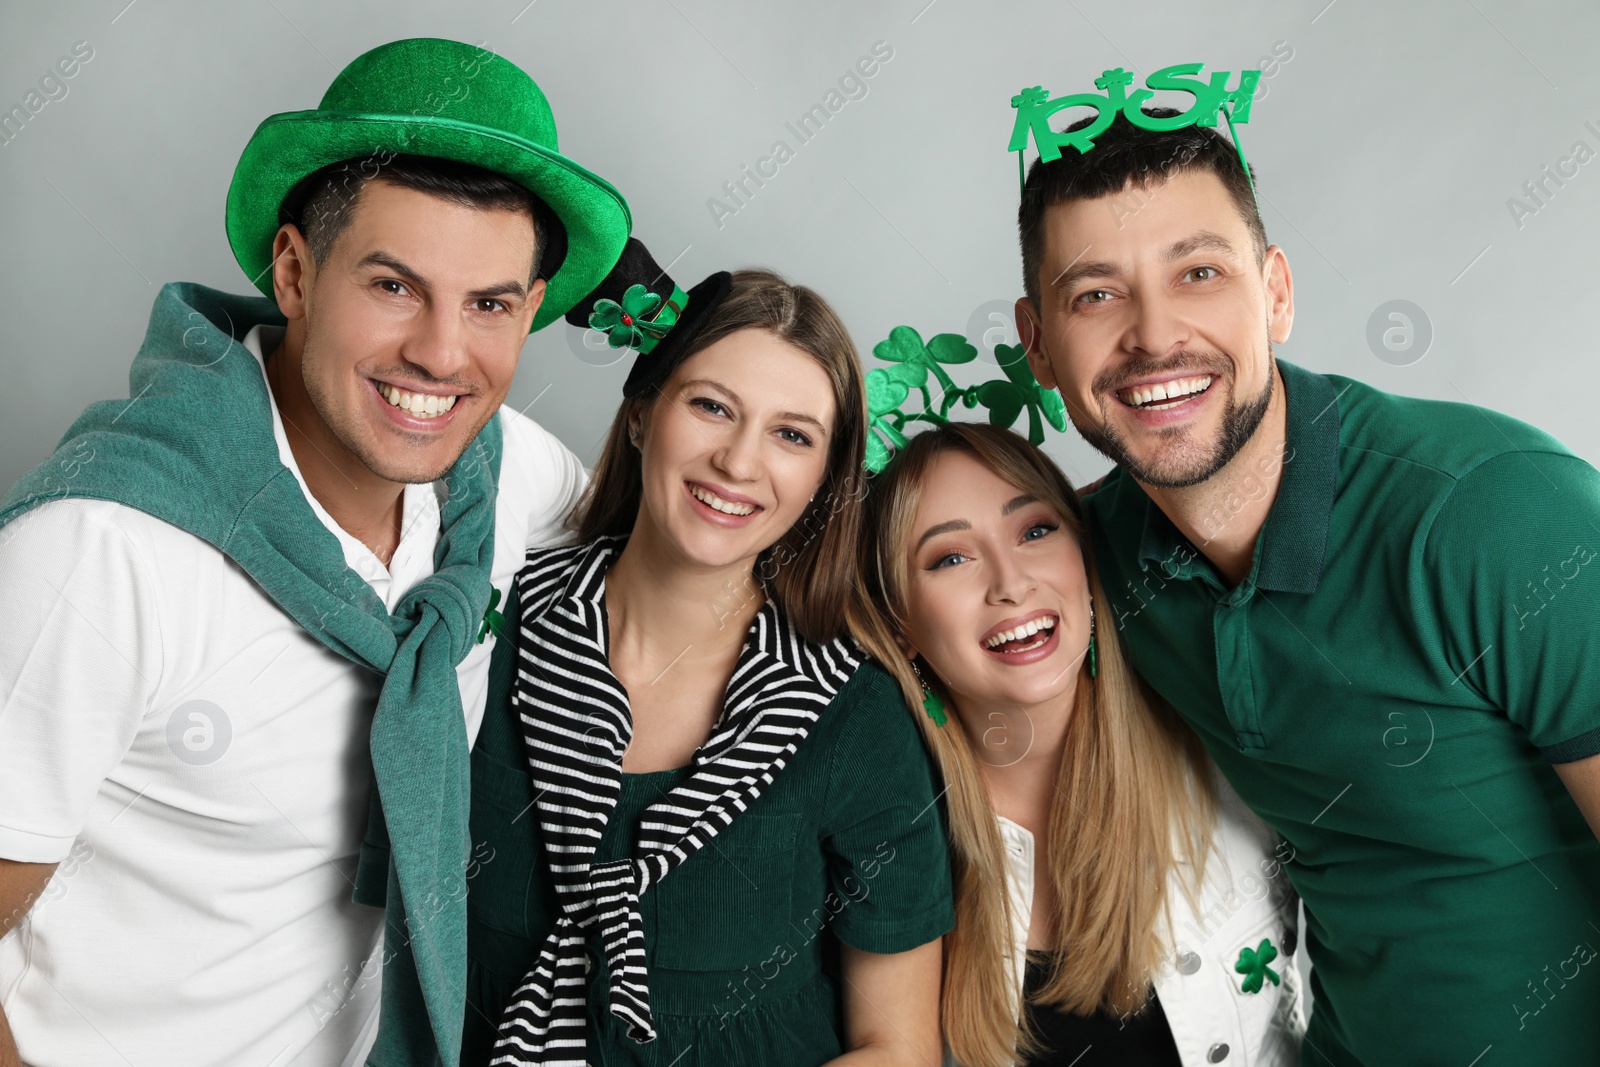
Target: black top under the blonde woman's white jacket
1137,1041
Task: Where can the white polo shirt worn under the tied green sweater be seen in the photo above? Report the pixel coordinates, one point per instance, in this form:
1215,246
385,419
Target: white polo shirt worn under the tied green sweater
198,765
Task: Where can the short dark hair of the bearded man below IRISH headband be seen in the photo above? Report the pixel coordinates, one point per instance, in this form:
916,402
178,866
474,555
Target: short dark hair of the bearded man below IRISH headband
1122,154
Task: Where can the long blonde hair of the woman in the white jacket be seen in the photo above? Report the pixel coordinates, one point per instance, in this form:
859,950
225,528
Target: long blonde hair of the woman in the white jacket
1130,775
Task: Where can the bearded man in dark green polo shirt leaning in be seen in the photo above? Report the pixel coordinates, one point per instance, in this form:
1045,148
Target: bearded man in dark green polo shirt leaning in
1375,610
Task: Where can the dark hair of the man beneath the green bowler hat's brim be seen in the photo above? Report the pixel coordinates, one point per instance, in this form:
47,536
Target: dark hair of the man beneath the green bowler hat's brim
324,204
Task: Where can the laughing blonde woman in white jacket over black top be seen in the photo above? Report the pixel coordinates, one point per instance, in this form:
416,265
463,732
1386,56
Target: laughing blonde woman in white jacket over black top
1116,903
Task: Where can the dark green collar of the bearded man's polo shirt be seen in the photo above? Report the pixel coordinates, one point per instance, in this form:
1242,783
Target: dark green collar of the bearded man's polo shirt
1295,538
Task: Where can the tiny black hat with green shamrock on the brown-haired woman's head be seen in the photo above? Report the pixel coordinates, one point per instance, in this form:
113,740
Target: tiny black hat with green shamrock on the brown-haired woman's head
639,306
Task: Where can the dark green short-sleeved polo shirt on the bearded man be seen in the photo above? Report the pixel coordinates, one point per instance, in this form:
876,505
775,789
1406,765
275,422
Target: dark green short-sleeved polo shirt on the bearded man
1388,689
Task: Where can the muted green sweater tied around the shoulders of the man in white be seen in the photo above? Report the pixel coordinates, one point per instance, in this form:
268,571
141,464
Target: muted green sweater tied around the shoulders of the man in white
194,449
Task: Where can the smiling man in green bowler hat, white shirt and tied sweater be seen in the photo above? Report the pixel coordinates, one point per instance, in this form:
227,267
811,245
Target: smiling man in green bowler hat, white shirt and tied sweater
282,553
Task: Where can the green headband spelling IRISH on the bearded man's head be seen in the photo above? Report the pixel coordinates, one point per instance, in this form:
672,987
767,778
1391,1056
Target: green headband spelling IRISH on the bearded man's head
1034,110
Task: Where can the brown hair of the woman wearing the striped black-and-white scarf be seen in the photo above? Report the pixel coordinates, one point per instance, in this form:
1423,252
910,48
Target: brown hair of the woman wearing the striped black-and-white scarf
812,569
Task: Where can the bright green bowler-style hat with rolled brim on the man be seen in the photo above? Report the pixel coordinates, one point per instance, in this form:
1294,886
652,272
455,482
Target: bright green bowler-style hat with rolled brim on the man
444,100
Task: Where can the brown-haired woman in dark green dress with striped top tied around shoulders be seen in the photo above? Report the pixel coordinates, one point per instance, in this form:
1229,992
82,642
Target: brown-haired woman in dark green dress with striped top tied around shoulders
705,823
